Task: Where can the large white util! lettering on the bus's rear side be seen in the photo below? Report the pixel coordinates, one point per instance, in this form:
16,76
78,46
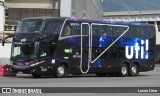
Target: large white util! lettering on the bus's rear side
129,50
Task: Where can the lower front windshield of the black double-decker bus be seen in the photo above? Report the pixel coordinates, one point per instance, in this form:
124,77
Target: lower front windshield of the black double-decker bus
22,52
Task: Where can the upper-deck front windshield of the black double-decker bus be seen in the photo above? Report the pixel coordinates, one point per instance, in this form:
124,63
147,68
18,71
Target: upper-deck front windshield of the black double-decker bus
29,26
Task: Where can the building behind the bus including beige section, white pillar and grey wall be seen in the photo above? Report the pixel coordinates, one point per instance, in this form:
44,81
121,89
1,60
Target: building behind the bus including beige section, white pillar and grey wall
19,9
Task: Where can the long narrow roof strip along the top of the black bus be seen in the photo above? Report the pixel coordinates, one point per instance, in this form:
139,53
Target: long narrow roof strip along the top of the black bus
90,21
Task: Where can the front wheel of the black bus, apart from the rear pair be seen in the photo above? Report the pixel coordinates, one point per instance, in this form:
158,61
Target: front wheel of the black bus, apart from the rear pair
61,71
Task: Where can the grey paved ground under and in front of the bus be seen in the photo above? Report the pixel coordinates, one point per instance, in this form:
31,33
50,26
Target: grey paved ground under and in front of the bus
145,79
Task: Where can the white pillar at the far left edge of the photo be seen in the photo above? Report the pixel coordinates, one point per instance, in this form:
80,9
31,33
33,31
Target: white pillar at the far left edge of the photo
2,15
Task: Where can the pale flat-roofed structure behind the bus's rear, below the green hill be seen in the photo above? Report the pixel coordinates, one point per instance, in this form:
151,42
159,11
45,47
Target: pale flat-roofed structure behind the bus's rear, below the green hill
151,17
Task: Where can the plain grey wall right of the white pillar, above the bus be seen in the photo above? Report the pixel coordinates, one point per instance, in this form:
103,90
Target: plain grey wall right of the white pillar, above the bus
87,9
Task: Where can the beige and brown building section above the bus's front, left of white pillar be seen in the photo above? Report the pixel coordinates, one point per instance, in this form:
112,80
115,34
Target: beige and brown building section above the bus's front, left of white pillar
19,9
